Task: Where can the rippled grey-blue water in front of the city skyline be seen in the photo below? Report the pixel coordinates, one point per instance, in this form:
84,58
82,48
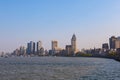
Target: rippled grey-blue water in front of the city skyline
59,68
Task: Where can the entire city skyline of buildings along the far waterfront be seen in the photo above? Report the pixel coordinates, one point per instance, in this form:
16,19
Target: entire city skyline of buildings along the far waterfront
36,49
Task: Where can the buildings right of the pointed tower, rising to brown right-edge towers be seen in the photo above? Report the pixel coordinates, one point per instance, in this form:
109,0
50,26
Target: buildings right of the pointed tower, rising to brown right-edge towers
112,47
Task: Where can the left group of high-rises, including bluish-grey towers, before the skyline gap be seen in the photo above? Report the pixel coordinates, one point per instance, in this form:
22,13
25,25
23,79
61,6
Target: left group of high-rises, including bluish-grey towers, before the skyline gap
32,49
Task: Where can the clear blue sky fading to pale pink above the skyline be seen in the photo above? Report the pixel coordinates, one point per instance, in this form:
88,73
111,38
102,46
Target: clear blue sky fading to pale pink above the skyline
92,21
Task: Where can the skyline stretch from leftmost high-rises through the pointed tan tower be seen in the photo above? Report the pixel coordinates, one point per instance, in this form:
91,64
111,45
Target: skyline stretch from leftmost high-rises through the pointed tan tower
33,49
